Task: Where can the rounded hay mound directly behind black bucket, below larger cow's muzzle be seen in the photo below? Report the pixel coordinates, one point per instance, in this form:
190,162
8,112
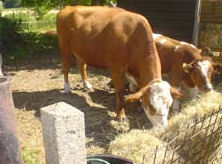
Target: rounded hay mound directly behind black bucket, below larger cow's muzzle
140,146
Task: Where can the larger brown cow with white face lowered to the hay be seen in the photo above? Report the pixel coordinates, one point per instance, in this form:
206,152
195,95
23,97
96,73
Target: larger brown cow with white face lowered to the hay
119,40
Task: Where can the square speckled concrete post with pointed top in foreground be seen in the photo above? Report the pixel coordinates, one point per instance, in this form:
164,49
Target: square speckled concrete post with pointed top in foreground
64,134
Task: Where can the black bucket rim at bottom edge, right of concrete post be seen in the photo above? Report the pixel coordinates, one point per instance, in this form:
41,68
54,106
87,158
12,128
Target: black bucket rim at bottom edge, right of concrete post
108,159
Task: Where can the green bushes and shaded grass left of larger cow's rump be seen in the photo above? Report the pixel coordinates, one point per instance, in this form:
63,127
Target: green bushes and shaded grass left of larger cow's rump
22,33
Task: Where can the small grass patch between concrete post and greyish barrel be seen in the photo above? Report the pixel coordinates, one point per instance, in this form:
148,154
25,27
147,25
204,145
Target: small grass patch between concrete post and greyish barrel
30,156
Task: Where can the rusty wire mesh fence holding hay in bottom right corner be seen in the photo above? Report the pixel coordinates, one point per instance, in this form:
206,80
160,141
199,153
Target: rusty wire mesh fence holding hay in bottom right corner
199,143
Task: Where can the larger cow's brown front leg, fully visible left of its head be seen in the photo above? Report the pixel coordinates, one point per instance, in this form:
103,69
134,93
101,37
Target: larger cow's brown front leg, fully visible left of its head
118,82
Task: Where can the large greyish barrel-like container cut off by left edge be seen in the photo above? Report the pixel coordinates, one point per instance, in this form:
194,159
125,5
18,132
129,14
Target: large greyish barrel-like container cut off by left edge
9,145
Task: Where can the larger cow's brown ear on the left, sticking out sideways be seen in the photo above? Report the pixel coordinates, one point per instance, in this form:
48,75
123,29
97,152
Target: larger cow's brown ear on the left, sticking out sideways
138,95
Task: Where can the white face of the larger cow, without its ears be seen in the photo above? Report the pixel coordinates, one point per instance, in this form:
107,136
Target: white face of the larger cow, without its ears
157,103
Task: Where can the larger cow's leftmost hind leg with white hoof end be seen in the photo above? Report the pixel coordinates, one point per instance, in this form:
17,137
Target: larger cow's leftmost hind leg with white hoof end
66,57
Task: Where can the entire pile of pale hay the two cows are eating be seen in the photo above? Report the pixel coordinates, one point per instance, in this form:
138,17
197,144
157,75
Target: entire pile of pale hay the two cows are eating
135,144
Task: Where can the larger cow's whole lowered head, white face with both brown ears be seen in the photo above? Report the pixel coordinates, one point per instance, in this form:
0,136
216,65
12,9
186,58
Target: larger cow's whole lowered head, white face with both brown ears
156,100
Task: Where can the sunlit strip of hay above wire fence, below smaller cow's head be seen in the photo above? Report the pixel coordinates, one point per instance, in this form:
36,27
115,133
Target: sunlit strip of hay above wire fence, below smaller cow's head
191,111
